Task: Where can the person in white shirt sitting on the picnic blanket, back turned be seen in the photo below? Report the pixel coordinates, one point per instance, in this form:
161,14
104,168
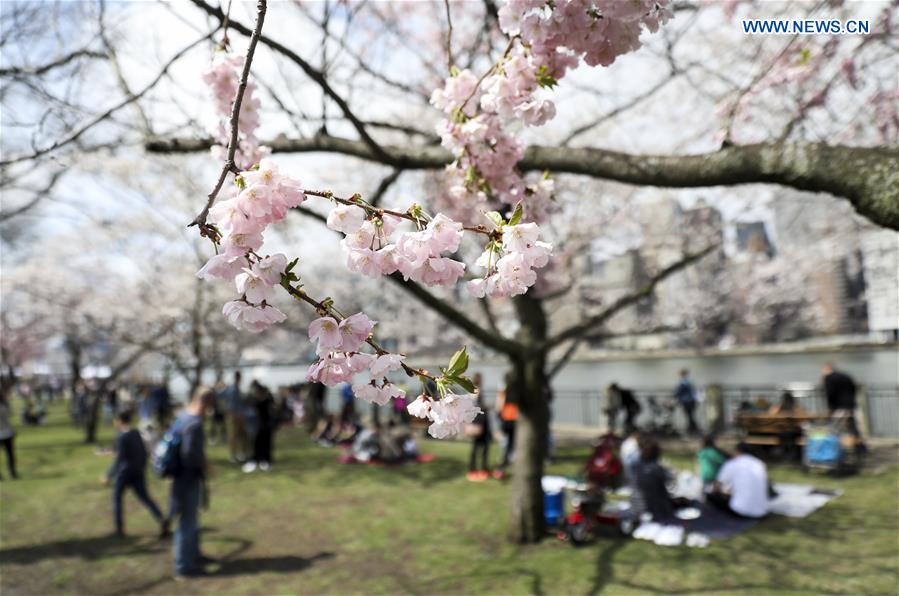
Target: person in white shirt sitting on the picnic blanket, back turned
742,486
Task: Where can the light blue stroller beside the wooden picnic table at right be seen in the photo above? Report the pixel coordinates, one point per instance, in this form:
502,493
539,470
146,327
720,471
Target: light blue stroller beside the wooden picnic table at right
830,445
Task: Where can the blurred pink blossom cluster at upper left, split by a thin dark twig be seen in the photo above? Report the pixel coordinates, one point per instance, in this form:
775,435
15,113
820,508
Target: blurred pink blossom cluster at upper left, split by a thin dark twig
223,77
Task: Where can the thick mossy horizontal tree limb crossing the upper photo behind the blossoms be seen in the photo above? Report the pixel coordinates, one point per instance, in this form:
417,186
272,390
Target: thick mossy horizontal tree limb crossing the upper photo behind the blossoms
867,176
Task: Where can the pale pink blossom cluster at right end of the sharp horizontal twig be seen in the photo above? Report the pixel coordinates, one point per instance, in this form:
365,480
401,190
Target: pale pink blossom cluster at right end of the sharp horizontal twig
510,265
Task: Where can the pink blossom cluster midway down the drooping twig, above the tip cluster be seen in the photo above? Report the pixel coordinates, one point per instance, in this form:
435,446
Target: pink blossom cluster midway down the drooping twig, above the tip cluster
339,358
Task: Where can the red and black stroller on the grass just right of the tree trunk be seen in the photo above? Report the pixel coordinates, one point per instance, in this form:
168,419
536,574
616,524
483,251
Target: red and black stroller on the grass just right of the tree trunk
603,471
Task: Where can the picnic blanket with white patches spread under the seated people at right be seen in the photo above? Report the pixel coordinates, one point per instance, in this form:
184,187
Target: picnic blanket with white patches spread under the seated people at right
792,500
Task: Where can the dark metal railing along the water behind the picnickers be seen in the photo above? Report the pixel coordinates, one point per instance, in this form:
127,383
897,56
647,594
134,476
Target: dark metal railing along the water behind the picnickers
878,405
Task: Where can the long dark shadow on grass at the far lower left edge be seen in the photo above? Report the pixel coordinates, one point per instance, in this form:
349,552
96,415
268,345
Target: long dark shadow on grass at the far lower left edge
88,549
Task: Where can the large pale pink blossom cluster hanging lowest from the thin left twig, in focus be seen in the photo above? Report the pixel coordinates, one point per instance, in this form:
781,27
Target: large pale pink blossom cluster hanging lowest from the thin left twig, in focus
264,197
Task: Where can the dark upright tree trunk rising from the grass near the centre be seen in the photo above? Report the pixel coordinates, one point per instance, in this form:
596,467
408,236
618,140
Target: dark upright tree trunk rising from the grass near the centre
528,389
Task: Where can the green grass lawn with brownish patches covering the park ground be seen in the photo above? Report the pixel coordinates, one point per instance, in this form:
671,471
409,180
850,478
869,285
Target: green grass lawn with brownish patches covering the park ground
314,526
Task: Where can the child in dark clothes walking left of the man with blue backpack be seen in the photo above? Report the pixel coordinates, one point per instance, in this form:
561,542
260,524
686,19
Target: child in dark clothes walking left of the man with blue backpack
129,470
